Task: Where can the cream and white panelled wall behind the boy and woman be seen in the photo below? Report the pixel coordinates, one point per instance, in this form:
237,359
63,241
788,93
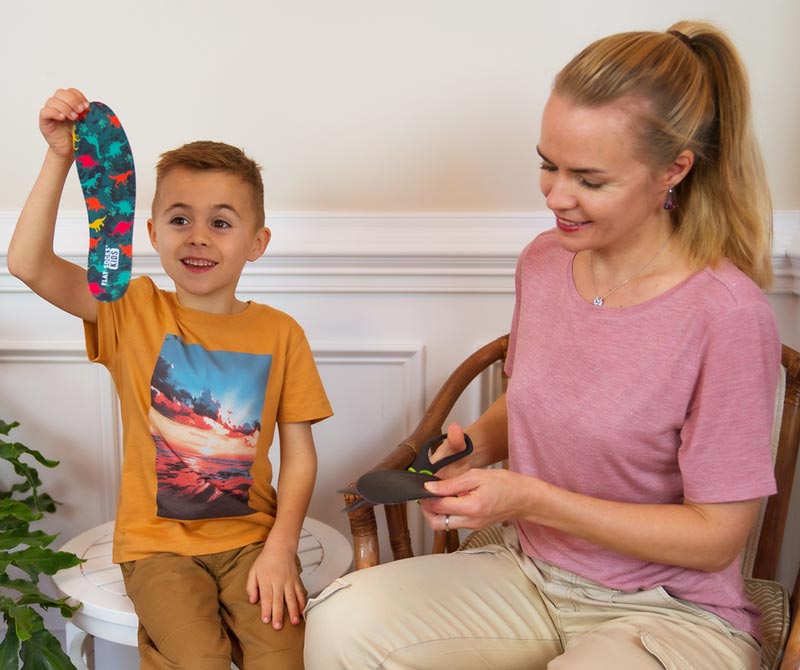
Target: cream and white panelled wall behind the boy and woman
397,140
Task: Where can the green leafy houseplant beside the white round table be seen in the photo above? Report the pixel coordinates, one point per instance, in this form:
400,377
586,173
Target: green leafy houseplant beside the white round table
24,556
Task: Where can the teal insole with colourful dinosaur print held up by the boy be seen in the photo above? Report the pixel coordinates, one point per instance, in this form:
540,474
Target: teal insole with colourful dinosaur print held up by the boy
105,168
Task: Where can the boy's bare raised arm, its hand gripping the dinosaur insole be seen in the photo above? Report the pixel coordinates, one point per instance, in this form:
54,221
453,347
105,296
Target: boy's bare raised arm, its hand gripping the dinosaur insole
31,257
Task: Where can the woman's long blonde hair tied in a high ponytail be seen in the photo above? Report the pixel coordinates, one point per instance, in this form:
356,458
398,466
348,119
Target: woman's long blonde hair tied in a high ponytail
689,90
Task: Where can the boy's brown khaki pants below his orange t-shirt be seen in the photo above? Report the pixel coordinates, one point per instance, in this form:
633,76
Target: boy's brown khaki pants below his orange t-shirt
194,614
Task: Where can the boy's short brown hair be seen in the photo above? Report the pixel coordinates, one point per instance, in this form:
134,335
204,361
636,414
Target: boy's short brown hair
207,155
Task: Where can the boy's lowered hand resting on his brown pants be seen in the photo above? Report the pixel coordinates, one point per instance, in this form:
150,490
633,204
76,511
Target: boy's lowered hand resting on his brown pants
275,581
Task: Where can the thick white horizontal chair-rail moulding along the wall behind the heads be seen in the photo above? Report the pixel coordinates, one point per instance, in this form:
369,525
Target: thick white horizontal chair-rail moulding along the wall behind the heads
318,252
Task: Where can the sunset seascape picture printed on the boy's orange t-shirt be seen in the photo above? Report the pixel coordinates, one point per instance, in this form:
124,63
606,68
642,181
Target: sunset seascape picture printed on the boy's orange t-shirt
205,419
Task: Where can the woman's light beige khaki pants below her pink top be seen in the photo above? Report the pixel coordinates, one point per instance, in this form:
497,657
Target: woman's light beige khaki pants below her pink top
494,607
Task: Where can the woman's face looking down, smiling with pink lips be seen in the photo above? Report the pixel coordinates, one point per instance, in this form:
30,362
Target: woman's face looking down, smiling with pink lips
604,197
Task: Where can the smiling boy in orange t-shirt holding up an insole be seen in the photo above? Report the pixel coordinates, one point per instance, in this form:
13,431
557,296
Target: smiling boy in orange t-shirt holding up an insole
207,547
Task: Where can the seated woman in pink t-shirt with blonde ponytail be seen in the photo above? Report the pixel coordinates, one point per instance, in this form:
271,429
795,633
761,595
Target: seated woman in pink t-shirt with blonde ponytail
643,362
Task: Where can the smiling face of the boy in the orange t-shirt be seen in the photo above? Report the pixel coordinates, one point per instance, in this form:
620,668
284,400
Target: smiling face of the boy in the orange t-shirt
205,229
